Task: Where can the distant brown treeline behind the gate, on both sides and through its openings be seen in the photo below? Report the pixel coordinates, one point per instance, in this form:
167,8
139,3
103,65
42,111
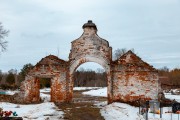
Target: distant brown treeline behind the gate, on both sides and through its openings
82,77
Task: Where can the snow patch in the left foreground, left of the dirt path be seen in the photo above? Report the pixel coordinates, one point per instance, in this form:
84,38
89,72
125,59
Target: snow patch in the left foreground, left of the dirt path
34,111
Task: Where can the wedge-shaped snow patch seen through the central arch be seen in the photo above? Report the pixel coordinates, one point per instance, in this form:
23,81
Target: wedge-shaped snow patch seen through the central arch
99,92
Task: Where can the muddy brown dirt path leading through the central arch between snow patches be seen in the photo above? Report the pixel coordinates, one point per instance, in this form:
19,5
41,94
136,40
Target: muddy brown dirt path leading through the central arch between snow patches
82,107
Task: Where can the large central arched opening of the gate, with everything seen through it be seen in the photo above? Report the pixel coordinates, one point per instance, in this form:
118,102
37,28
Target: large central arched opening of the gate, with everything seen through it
89,83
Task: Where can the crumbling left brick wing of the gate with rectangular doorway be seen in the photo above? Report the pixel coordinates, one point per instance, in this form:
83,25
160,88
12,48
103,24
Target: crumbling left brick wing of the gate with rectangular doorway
49,67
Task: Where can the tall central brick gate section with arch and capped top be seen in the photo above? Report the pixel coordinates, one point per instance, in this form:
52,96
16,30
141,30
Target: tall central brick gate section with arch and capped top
89,47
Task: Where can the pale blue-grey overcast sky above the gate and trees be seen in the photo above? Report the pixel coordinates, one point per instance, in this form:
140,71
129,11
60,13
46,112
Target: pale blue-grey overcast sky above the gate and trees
42,27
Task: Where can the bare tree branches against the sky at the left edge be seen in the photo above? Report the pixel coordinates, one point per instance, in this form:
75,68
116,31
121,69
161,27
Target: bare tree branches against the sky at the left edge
3,33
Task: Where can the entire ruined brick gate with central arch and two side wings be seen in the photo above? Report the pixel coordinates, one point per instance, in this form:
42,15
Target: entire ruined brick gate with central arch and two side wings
128,78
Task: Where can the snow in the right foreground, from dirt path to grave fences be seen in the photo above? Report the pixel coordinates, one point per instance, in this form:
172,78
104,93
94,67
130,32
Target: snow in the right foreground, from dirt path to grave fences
121,111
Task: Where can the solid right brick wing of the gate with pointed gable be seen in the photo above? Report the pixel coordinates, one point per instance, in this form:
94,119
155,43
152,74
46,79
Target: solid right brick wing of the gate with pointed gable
133,79
